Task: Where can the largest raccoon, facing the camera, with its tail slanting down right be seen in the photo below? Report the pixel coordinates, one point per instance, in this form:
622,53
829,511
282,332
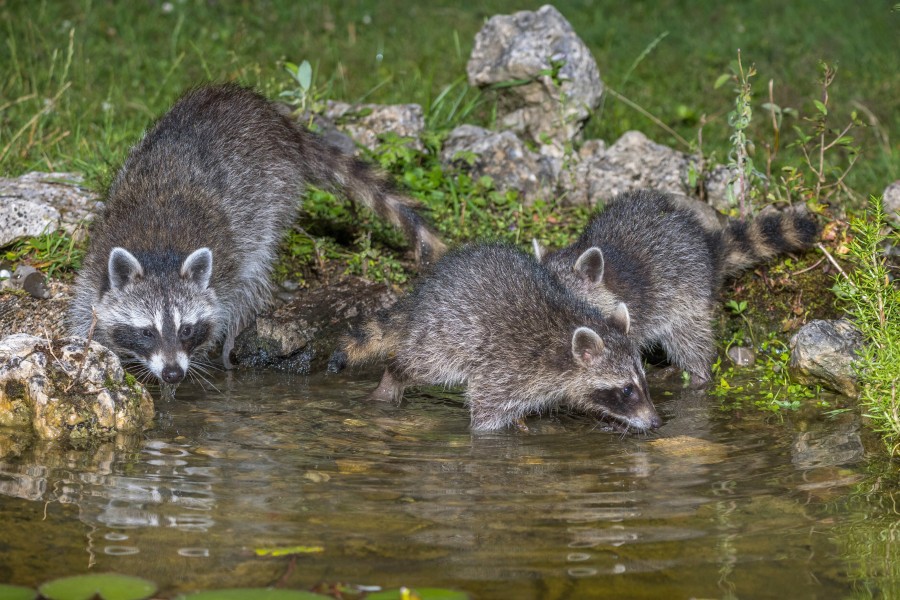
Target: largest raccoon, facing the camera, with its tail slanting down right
181,257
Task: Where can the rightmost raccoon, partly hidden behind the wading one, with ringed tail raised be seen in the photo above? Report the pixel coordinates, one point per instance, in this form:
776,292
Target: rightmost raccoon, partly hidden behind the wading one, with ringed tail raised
659,256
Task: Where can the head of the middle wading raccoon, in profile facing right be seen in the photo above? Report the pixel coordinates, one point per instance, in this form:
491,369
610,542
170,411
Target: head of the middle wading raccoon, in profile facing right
614,382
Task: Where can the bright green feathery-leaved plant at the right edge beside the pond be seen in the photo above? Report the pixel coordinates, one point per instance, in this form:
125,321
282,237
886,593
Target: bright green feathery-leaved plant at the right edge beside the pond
872,300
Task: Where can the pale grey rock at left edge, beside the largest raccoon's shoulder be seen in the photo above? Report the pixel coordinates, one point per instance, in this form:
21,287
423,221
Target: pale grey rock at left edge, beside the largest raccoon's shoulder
37,203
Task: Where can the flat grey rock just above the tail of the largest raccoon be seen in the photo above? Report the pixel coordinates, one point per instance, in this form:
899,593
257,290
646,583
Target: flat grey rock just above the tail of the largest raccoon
365,122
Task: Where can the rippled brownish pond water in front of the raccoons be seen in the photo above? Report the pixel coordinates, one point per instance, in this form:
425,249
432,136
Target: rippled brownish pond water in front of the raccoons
716,504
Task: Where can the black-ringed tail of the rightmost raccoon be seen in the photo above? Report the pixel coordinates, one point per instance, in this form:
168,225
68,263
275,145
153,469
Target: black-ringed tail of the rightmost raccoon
749,243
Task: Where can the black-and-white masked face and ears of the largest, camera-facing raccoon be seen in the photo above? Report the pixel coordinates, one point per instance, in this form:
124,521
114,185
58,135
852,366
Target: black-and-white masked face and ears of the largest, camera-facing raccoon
158,320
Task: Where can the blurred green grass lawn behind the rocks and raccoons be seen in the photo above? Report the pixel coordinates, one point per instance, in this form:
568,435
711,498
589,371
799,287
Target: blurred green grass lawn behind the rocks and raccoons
80,81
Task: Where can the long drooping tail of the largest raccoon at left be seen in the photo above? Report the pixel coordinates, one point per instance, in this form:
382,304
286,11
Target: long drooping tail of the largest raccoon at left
331,169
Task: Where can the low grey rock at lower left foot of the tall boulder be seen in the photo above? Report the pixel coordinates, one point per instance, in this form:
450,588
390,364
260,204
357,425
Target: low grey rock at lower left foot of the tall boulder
505,158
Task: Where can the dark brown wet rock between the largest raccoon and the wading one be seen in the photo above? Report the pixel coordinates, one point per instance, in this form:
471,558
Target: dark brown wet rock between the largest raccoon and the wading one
301,335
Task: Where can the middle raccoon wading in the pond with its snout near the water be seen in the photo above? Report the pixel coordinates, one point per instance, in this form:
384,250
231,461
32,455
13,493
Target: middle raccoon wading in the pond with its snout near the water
491,317
